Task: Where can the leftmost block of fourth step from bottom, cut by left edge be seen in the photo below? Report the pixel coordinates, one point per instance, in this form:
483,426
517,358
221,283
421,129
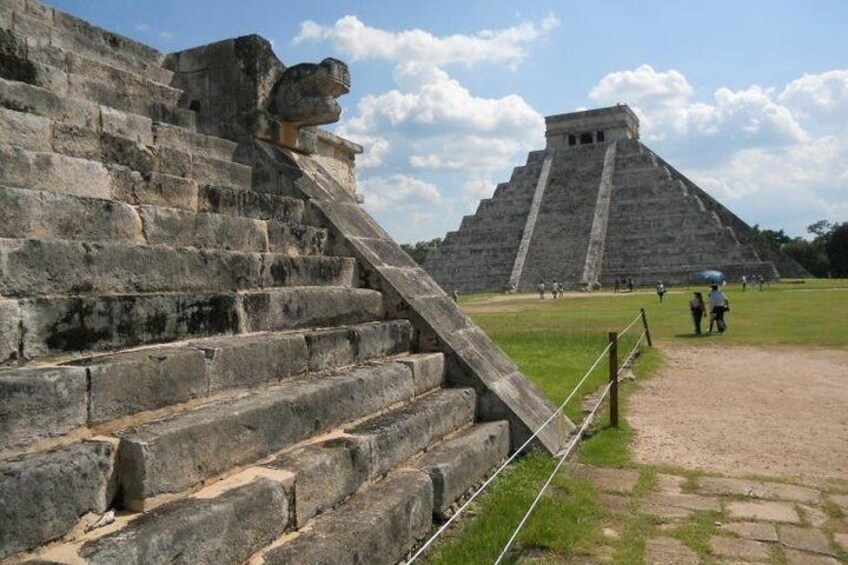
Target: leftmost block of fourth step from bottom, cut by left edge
40,403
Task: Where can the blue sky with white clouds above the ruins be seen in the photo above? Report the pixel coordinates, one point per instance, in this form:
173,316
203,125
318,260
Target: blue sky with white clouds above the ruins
748,99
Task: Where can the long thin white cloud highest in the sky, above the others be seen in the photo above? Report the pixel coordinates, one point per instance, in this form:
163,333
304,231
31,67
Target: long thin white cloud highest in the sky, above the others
359,41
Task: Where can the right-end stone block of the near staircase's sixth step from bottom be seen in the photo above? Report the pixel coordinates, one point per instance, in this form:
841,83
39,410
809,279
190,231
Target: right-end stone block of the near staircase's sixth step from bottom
283,270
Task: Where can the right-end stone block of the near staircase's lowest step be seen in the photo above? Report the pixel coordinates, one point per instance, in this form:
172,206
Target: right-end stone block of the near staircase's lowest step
456,465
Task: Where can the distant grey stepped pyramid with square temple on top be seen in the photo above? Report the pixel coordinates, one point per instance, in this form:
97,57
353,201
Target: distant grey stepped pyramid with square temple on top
597,206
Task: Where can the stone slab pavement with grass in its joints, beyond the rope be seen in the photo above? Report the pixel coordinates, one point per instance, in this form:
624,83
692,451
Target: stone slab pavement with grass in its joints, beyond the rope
706,519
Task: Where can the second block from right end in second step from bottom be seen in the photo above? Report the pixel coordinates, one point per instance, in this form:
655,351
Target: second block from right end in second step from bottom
325,474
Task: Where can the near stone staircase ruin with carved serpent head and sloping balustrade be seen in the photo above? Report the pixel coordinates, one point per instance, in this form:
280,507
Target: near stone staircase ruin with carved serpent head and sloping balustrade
202,335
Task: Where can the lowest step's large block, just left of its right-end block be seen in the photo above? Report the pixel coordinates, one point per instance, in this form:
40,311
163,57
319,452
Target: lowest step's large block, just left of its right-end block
379,525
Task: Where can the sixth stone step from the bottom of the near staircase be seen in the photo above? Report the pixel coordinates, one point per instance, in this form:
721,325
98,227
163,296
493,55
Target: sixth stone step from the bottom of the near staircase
30,268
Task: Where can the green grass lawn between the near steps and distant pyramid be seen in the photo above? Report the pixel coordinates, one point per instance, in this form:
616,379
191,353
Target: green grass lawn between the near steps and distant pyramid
554,342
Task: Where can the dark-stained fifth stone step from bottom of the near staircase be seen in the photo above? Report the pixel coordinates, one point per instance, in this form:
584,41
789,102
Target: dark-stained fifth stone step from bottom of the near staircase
57,325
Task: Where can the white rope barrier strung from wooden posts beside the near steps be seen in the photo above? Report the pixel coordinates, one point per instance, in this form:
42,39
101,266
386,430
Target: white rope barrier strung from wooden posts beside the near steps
521,448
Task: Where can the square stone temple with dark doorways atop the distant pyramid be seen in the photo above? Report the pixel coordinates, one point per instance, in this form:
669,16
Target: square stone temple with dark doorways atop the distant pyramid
601,125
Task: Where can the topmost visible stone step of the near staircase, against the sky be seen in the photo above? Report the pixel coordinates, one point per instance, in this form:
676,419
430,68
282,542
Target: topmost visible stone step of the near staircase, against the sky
43,26
